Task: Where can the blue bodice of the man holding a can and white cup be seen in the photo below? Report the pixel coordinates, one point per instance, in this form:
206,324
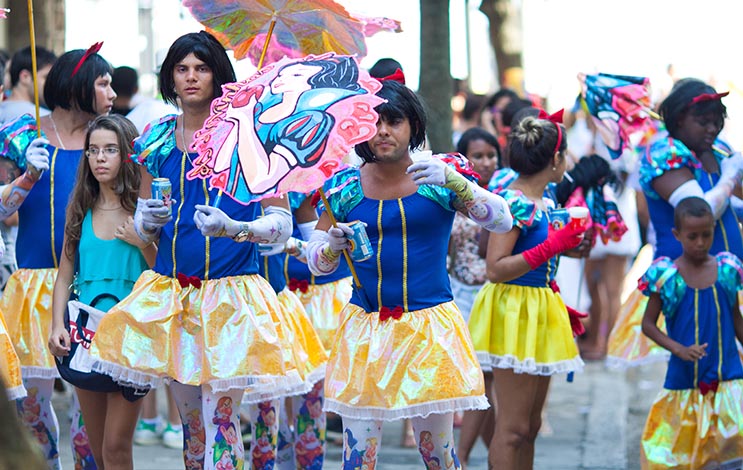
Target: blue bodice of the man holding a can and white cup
409,236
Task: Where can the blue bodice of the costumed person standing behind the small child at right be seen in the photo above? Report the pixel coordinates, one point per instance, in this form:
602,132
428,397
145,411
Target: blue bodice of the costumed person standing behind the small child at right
665,154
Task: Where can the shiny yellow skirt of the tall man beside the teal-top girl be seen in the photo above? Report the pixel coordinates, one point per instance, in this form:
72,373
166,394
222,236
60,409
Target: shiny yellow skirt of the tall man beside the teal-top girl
223,334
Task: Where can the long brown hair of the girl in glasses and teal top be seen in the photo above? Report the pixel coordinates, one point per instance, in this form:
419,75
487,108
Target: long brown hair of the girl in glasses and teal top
87,189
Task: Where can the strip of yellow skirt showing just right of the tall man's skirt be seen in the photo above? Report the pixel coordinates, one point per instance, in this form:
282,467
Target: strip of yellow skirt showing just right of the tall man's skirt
307,351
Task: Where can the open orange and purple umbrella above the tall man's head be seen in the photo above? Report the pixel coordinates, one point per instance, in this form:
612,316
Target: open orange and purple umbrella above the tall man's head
295,28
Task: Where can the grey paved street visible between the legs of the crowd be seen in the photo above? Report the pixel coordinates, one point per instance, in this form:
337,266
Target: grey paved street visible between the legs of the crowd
595,423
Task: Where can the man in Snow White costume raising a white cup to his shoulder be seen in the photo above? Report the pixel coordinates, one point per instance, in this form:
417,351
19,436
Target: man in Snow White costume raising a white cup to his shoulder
402,349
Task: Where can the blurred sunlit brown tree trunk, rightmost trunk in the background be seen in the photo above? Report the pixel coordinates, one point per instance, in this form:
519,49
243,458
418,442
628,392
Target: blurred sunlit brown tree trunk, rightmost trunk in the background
505,33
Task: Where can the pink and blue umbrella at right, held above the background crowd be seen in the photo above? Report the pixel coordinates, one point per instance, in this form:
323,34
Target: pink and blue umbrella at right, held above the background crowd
620,106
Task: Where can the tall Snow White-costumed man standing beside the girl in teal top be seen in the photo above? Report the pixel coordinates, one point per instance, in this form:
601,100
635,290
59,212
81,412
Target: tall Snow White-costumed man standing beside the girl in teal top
203,317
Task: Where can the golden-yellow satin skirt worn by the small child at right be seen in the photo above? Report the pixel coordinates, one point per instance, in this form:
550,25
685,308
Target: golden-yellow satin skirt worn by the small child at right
688,430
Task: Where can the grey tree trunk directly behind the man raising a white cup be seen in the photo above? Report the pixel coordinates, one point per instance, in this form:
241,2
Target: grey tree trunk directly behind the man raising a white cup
436,84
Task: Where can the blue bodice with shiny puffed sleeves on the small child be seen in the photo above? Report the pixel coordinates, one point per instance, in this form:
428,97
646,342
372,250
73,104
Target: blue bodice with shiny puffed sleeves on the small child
697,316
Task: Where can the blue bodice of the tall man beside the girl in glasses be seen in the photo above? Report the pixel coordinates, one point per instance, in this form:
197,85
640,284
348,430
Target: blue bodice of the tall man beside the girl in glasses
181,247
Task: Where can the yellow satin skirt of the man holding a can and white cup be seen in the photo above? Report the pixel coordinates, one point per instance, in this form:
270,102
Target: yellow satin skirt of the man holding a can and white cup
422,363
